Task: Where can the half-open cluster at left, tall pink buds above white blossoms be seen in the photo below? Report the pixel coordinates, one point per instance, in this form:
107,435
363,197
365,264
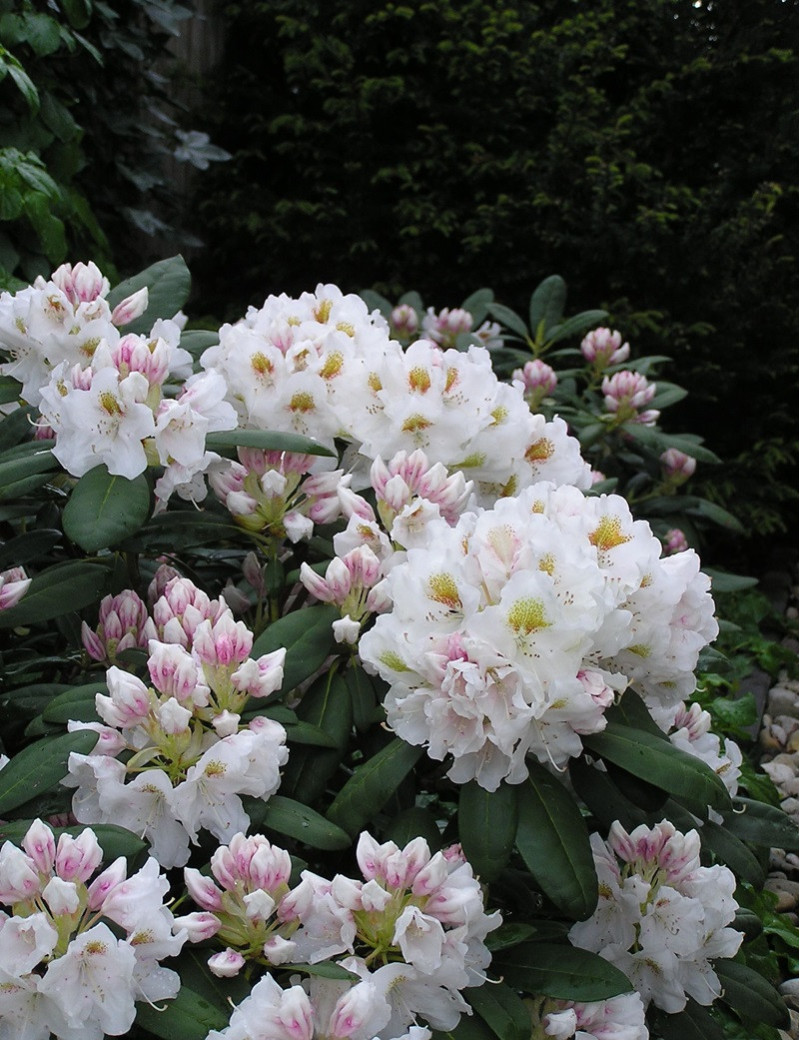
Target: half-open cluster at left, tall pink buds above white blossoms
174,758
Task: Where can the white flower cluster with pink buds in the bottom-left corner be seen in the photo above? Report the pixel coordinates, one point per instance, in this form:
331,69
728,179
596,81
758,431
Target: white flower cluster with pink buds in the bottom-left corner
78,951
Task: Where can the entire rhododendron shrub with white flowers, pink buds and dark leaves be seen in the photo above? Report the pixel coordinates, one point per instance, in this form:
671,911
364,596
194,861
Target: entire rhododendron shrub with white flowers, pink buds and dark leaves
350,696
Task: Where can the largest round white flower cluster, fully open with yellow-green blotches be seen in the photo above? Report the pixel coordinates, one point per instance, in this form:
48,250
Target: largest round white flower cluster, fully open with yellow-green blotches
511,632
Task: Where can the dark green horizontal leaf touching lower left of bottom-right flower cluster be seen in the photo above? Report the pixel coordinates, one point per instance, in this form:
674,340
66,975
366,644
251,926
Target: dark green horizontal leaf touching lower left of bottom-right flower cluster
565,973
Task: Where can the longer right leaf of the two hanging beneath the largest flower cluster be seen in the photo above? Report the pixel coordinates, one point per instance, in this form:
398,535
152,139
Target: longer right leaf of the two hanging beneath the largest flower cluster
554,842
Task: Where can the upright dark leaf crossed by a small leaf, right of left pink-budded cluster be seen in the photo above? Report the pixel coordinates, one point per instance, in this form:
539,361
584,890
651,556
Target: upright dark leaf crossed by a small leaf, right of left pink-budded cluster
326,706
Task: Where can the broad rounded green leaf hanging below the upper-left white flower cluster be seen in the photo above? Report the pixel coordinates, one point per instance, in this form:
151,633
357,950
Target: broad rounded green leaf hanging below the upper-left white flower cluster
105,509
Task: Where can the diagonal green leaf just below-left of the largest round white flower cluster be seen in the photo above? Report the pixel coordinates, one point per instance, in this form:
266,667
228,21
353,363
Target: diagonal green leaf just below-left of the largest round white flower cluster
372,786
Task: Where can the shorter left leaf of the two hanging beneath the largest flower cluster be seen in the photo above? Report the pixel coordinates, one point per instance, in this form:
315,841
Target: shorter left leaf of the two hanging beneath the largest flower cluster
487,827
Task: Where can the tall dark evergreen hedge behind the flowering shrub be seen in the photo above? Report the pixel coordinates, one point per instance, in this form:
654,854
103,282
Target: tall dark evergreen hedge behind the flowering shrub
646,152
